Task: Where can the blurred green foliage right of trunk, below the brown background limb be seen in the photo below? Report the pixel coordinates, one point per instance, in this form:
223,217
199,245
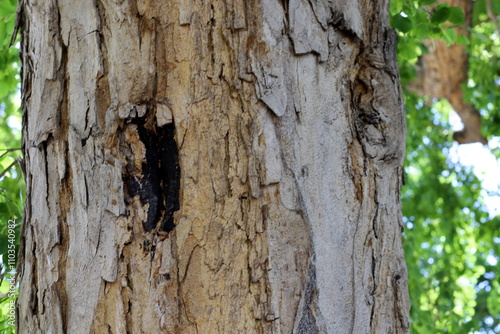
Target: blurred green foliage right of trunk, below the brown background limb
449,232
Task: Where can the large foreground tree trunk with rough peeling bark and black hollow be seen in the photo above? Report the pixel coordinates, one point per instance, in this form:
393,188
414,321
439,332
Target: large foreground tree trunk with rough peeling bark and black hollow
211,167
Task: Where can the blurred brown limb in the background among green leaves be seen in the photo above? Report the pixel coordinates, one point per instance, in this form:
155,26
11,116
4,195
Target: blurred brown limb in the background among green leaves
443,71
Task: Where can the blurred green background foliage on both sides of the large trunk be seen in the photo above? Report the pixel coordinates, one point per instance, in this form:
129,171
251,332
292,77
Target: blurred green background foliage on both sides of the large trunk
452,240
